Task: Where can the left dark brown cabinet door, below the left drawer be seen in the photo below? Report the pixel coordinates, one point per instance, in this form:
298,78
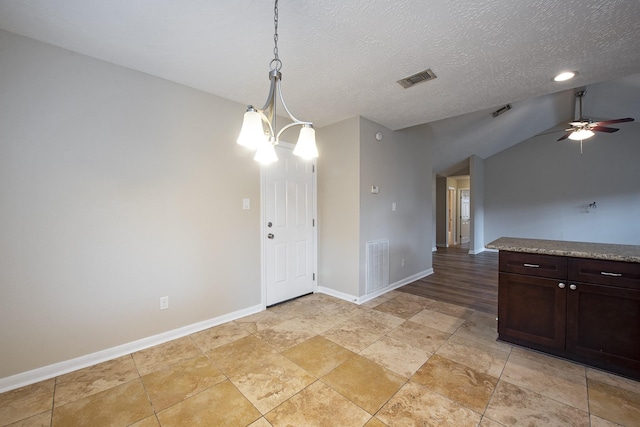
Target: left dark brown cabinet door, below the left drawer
532,309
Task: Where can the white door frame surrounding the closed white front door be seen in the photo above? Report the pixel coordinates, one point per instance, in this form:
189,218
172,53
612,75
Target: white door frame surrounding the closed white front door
263,227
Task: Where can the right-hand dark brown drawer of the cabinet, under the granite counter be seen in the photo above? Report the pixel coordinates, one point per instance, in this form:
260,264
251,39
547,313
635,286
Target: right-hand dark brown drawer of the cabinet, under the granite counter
602,272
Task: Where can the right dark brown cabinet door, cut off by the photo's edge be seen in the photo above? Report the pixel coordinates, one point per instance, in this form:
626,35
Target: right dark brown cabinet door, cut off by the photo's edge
603,322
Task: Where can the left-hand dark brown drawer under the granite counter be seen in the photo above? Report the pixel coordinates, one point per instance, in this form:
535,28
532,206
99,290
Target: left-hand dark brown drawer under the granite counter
533,264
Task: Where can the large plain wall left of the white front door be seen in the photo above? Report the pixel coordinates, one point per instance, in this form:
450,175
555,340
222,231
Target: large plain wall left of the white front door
116,188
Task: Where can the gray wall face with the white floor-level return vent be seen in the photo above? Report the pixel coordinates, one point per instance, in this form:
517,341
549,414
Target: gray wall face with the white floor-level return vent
400,165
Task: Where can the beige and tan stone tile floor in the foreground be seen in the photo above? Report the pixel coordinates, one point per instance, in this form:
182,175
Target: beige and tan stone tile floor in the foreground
399,360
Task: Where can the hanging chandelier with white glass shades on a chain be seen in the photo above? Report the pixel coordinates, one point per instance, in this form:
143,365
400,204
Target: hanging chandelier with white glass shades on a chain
256,136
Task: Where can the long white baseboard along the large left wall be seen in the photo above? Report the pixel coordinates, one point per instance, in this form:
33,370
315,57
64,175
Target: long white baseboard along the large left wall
61,368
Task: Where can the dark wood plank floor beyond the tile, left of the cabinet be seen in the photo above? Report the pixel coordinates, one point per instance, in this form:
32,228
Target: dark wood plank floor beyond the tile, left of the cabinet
461,279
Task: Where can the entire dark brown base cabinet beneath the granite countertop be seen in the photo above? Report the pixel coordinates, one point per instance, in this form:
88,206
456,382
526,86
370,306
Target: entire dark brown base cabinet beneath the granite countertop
587,310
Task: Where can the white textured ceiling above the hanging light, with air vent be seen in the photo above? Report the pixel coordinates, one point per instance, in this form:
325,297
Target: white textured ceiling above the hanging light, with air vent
343,58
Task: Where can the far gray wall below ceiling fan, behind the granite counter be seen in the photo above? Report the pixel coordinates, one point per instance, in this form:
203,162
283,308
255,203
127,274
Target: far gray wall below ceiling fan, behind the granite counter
540,189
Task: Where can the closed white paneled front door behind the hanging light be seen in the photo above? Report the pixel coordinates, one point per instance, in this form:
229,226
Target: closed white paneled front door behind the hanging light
289,227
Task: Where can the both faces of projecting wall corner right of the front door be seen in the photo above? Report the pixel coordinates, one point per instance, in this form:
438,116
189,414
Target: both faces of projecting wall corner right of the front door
351,161
